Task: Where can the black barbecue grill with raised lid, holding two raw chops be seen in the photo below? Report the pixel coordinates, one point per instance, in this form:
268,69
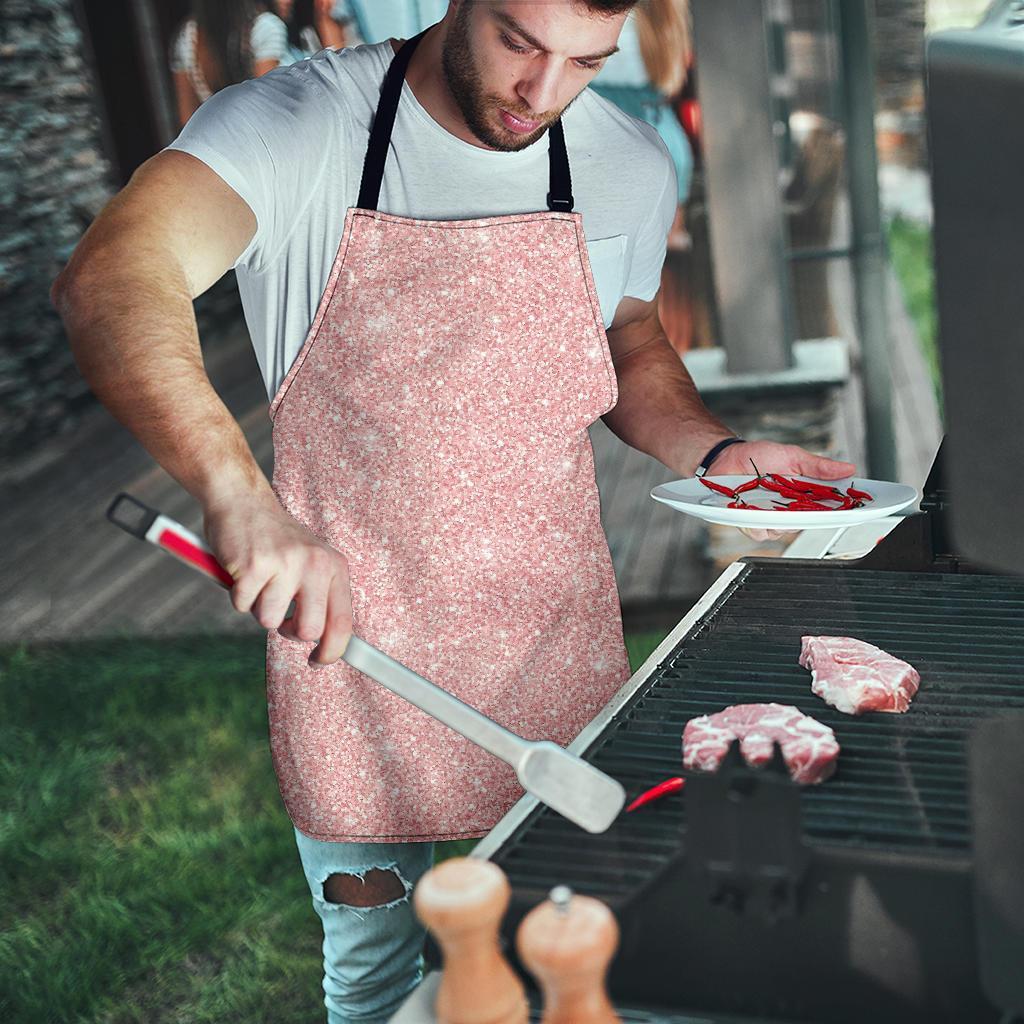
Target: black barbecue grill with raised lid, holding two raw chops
893,891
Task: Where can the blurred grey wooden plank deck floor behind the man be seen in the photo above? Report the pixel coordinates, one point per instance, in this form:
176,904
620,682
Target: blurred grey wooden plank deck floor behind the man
68,573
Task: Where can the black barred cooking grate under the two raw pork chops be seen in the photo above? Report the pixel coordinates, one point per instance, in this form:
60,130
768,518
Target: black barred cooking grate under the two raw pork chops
902,783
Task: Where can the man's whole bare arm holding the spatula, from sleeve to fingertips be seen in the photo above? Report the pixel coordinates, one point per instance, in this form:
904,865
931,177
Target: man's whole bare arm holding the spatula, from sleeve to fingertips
126,300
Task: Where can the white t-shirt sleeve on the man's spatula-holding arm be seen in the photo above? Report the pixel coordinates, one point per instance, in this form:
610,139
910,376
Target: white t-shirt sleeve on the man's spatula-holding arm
269,140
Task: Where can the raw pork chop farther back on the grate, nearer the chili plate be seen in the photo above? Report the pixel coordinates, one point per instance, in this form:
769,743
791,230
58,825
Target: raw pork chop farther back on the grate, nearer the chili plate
856,677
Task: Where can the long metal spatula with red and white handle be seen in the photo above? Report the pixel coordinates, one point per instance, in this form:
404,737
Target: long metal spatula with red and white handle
563,781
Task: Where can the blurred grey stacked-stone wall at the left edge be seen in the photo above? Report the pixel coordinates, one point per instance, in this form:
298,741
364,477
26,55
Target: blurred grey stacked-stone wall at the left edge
54,181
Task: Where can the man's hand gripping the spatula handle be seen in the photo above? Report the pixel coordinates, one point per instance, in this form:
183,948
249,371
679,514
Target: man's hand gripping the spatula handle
273,560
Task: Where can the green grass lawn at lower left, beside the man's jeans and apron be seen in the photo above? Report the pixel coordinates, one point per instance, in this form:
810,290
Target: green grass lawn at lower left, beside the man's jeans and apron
148,869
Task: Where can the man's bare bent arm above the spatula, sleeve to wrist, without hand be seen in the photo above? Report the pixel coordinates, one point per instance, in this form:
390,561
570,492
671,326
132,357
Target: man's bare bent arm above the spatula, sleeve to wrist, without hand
126,298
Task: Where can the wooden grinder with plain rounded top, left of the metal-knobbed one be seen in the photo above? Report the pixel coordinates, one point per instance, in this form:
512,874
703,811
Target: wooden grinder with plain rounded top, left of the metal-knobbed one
462,903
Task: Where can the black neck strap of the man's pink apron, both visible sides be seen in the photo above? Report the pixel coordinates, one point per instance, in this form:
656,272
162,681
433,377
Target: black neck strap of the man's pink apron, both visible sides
560,196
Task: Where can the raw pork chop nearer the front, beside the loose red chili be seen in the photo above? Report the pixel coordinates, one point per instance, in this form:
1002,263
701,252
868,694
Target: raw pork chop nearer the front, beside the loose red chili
809,748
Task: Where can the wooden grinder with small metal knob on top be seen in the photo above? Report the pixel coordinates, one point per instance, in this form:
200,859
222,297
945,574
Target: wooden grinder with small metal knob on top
568,944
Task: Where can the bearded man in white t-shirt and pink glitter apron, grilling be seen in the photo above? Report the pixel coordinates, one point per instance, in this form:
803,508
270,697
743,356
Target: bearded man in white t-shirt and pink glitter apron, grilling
429,310
